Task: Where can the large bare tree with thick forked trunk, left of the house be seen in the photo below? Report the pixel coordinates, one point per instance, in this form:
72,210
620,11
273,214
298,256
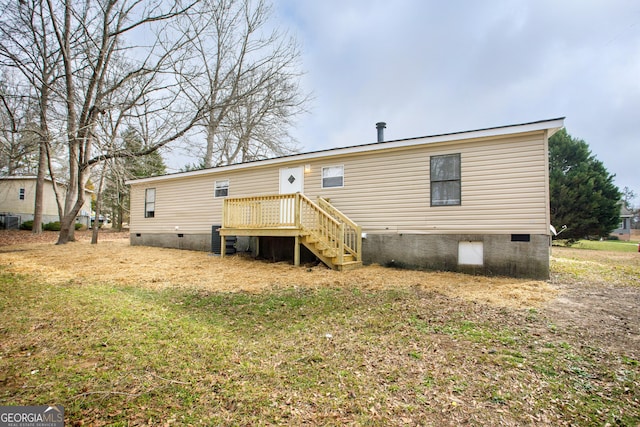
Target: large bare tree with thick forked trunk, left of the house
92,39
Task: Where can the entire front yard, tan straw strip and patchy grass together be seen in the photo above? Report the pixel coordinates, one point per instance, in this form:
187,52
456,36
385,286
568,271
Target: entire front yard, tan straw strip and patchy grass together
123,335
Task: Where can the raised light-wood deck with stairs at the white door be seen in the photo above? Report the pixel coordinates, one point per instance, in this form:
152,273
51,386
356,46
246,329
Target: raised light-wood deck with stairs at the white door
324,230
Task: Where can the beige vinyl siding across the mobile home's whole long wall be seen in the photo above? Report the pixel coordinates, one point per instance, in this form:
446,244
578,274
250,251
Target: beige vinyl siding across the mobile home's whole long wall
503,179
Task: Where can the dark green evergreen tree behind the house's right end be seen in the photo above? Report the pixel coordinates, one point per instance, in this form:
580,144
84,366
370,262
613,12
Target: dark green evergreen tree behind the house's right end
582,193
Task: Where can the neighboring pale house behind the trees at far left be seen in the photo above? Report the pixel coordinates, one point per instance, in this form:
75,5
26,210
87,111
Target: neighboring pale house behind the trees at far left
17,201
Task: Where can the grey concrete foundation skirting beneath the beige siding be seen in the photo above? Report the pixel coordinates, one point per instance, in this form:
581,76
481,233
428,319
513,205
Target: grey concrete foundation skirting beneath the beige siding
515,255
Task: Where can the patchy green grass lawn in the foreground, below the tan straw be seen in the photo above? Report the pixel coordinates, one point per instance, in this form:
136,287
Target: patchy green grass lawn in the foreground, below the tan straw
116,355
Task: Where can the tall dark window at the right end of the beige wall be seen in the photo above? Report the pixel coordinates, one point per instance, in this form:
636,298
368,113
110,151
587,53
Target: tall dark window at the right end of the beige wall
445,180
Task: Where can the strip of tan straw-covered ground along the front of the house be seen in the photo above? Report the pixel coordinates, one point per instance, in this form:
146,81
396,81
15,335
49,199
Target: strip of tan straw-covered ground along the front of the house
115,261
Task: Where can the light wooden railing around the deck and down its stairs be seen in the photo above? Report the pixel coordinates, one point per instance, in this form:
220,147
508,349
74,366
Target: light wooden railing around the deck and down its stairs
321,222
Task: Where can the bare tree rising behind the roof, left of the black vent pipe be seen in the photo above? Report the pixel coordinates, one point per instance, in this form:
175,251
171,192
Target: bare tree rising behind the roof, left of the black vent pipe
250,79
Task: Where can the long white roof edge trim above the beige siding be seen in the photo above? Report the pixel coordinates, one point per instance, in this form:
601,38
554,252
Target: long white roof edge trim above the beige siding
551,124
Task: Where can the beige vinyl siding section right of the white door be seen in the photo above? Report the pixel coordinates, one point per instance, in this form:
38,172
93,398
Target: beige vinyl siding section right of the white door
503,189
